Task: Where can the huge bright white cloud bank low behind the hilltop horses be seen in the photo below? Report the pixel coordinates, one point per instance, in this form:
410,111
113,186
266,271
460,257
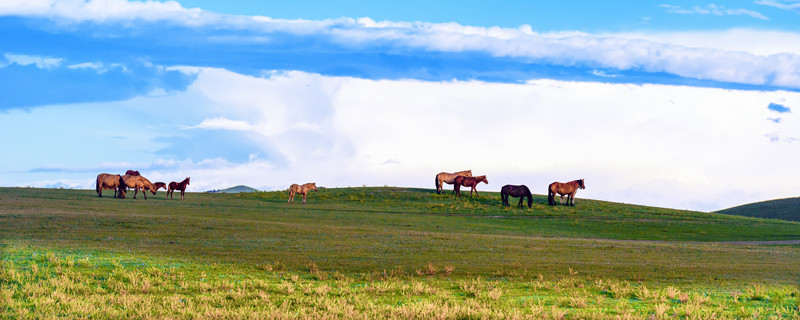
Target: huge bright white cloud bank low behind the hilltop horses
658,145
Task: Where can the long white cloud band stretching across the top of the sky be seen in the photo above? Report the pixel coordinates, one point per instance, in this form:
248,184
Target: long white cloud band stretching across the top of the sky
739,56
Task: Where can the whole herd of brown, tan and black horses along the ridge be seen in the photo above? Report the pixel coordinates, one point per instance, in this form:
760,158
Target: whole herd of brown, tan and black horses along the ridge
133,180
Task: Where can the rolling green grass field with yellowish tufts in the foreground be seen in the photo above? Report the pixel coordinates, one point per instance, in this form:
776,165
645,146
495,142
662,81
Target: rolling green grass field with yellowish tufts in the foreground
385,253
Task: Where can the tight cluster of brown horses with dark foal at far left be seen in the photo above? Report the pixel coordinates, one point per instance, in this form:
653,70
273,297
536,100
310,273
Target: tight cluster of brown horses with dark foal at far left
134,180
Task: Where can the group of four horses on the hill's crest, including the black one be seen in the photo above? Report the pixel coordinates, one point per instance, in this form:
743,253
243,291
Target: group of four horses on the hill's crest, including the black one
465,179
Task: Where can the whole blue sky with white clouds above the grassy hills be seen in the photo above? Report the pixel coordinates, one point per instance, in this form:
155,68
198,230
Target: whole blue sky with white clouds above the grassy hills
680,104
